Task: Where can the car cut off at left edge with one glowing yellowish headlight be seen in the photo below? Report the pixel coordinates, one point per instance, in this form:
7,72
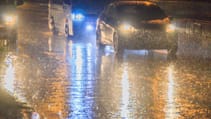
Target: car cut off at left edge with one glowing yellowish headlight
9,18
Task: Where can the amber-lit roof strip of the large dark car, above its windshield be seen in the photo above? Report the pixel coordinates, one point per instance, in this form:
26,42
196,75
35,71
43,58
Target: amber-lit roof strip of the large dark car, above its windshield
133,2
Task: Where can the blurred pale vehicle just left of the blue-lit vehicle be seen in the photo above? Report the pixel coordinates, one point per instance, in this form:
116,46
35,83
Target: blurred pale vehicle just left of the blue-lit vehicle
60,17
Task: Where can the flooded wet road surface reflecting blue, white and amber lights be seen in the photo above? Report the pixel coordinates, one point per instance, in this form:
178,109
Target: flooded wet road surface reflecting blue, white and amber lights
71,79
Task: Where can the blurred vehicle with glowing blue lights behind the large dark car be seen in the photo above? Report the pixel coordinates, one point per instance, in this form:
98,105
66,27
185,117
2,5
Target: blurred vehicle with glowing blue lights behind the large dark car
85,13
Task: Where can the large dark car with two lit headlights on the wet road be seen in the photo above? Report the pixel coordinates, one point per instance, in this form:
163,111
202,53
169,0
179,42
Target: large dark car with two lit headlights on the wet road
136,25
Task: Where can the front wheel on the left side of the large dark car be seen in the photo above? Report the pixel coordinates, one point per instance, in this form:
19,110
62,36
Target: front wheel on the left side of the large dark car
117,44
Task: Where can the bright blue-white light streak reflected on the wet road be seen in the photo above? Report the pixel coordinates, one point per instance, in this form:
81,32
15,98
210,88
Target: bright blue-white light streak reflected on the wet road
82,78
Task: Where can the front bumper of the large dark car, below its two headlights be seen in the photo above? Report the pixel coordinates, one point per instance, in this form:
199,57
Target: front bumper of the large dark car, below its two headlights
151,39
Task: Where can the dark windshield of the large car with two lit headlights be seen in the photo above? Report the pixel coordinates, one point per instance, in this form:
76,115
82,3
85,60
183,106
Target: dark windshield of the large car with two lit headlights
142,12
